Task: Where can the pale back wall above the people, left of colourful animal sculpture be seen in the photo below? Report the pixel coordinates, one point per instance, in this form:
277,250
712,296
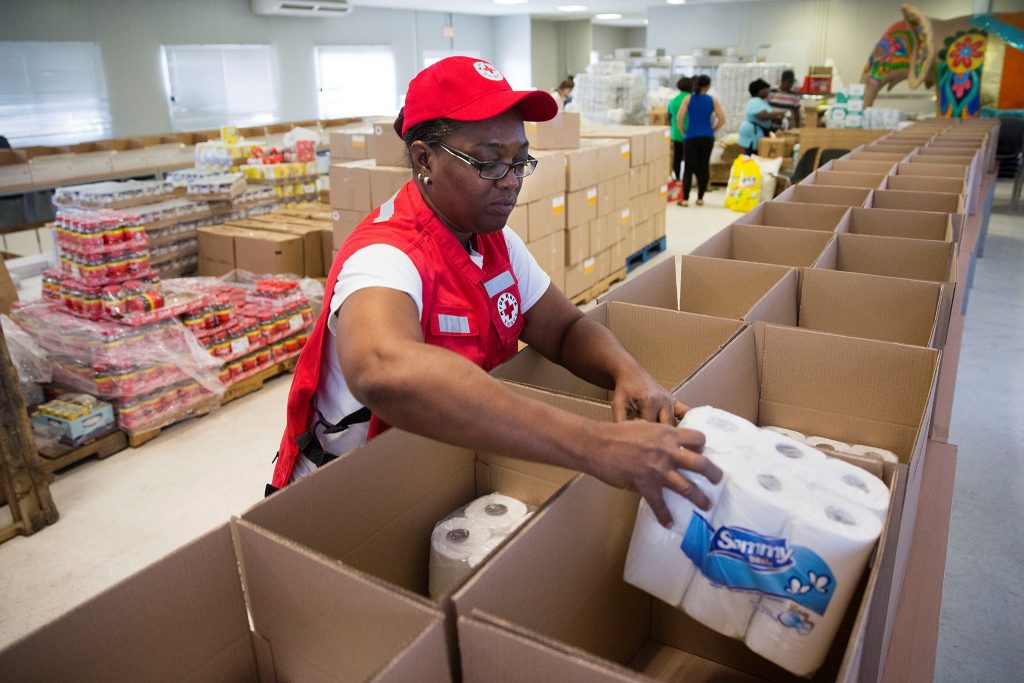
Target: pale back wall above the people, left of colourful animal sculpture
802,32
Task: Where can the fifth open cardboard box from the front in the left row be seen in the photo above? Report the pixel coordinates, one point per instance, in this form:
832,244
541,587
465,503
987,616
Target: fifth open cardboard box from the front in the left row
739,290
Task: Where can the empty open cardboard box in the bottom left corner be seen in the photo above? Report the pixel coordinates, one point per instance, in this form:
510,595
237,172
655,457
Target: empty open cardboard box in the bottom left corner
188,618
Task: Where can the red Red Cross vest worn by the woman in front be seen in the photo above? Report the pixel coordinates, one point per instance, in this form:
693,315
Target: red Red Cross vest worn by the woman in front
470,311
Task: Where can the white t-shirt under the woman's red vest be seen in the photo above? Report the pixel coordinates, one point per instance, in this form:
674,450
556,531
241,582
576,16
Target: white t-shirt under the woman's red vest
385,266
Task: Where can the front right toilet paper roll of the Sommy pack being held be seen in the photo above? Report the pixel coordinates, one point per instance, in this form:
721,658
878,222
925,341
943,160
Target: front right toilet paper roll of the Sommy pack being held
792,635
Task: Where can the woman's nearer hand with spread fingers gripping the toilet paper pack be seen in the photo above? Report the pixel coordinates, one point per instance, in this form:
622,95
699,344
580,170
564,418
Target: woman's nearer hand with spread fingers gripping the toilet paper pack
646,457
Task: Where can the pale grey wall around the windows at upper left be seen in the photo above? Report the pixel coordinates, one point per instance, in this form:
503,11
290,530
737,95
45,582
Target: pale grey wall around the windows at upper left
131,33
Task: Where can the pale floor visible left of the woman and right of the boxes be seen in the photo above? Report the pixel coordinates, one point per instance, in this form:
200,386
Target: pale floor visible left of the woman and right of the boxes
120,515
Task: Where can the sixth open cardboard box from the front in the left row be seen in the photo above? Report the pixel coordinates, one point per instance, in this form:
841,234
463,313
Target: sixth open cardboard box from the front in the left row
782,246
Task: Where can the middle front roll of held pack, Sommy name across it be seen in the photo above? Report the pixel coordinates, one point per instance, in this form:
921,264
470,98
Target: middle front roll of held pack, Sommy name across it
740,546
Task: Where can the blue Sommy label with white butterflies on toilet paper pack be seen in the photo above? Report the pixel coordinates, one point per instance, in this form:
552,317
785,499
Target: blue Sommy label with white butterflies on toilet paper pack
738,558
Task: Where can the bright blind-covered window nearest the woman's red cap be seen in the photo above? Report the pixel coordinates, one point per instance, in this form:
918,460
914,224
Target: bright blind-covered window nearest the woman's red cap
356,80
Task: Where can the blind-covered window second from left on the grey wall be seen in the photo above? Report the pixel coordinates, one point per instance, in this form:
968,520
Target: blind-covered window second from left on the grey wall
209,87
